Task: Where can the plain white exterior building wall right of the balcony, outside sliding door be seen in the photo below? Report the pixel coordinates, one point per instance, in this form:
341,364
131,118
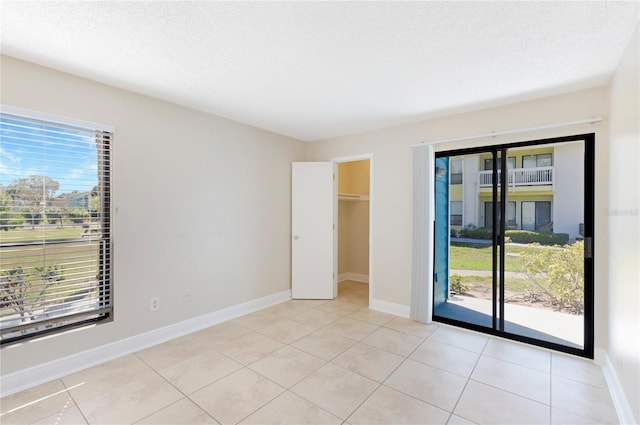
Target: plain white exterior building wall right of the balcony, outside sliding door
568,188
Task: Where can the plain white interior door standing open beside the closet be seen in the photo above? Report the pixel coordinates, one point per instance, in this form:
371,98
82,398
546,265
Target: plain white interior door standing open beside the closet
312,230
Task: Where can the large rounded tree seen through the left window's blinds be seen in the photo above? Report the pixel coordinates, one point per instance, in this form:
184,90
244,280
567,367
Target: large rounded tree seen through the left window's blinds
32,193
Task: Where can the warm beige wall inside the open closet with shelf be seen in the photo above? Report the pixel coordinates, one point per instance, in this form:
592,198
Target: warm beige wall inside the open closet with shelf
353,218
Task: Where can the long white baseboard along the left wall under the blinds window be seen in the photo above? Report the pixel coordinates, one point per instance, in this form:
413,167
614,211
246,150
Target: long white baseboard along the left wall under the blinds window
27,378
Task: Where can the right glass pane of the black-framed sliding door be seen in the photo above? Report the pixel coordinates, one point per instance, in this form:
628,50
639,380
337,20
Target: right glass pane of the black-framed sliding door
544,269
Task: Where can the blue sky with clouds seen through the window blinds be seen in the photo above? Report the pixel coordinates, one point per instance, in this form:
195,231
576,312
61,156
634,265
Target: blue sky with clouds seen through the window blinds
65,155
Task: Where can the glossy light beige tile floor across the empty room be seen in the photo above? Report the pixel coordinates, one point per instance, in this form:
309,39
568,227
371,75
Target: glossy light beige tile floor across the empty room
325,362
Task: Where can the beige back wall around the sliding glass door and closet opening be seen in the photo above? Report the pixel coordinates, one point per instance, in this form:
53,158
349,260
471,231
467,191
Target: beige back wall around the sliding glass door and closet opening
392,186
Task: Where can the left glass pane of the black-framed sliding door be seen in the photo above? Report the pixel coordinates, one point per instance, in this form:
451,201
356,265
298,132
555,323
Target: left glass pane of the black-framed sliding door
463,264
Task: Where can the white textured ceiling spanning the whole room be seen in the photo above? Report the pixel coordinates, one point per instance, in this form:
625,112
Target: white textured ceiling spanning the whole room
314,70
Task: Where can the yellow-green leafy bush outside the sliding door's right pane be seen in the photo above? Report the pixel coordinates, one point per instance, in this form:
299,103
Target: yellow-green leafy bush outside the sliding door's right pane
559,273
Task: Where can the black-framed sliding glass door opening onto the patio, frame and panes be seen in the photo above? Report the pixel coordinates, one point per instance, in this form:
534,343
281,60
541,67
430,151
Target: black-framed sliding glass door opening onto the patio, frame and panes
513,241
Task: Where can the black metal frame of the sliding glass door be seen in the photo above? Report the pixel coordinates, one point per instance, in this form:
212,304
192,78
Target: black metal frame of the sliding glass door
500,152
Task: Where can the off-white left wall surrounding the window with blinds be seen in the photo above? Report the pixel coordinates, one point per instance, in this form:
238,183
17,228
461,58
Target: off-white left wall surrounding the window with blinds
202,205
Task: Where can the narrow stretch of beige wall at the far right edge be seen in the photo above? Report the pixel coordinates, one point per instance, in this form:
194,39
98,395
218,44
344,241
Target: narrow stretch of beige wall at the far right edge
624,225
